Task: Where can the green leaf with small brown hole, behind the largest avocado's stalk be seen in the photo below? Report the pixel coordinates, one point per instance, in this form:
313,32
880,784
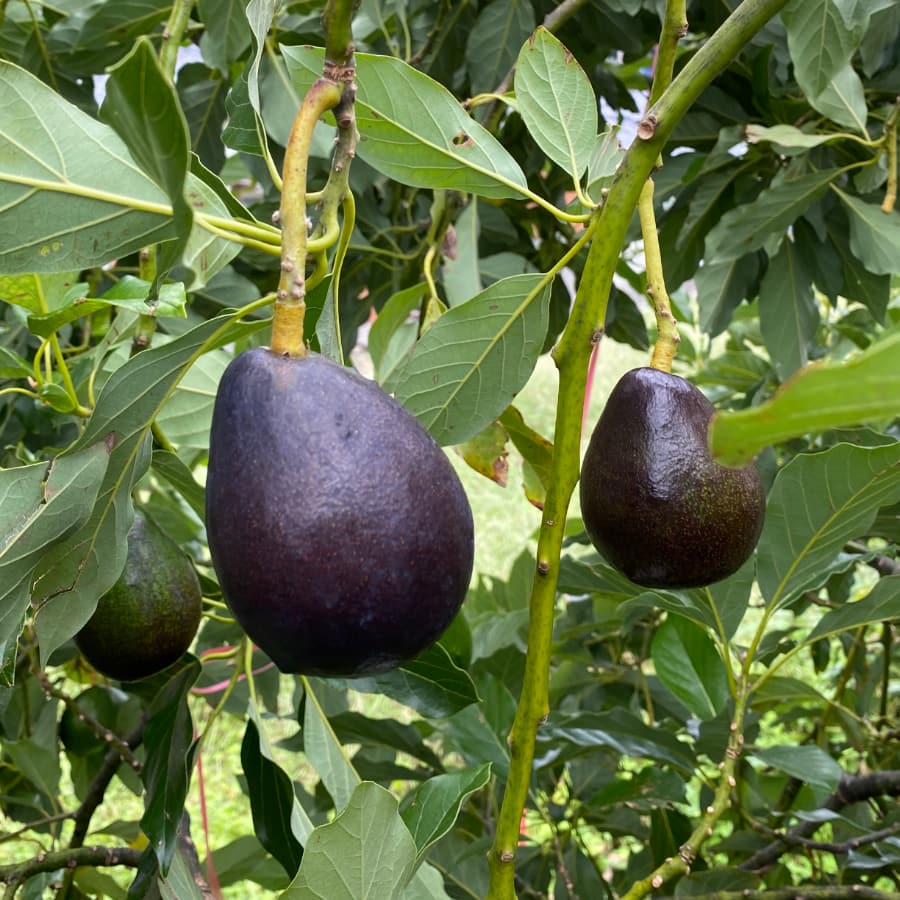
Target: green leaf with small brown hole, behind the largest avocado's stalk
413,130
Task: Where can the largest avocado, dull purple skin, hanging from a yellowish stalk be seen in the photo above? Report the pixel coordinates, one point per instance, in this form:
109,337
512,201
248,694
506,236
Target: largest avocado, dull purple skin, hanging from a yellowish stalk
340,533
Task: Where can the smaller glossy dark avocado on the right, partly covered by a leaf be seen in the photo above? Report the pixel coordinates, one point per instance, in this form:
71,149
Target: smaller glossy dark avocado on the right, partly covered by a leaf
655,503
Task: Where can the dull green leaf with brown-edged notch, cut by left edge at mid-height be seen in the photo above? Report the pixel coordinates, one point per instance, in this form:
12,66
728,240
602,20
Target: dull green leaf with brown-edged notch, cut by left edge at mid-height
41,505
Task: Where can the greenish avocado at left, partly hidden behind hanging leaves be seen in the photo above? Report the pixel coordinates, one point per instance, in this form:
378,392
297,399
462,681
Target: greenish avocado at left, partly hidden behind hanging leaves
150,616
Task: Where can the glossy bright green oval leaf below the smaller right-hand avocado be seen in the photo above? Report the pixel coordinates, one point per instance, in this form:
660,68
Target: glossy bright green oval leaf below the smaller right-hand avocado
688,664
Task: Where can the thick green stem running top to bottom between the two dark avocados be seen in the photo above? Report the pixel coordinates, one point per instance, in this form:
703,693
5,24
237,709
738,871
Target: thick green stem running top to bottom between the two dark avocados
572,356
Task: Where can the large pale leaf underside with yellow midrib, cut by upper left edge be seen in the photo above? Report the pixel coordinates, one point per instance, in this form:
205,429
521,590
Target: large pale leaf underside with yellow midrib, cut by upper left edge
71,194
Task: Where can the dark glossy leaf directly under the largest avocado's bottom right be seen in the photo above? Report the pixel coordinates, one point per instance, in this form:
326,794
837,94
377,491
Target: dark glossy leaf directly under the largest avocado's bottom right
431,684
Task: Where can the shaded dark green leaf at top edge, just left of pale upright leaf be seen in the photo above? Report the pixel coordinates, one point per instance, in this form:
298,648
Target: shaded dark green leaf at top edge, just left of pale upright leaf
494,39
